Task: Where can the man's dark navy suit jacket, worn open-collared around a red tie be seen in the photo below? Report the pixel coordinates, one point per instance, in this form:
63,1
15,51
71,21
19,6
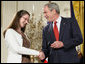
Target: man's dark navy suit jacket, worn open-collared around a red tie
70,35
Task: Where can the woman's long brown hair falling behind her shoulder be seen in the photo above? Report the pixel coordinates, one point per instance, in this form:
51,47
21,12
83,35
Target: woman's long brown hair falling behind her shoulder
15,23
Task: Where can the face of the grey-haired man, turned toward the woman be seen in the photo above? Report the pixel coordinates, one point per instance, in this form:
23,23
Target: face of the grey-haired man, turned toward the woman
48,14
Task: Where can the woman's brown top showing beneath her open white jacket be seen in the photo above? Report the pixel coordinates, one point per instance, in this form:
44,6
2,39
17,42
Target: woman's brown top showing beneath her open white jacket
26,43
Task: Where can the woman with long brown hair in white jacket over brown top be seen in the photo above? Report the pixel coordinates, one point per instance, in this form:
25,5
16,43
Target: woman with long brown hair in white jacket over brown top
16,41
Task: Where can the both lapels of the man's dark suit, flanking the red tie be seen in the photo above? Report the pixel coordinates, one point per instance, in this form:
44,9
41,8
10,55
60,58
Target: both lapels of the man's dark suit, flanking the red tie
62,27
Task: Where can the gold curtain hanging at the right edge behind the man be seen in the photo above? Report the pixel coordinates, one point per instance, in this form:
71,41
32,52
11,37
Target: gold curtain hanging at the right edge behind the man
78,7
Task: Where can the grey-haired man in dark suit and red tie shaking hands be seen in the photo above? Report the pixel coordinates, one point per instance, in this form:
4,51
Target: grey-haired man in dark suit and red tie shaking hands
60,37
